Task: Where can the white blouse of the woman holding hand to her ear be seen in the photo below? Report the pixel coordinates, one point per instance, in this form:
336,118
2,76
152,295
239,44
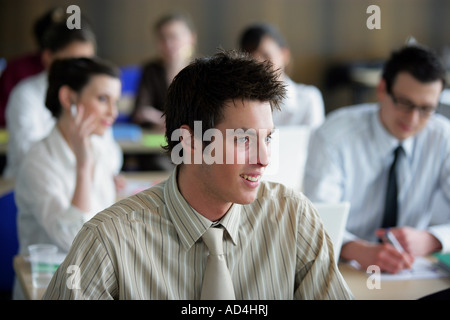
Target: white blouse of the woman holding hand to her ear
44,189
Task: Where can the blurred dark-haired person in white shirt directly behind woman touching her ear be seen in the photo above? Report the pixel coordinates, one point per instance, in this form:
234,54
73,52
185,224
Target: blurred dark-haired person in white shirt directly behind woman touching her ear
28,120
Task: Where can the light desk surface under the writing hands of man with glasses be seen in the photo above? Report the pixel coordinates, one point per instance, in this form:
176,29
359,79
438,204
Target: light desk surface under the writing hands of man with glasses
390,290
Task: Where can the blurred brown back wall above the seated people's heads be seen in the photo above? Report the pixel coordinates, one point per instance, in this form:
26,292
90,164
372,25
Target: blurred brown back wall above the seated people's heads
328,38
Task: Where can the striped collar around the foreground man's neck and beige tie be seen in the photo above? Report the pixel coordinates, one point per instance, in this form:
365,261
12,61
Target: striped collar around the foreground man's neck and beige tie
189,224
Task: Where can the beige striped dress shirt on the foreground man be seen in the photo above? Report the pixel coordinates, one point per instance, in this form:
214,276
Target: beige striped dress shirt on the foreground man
149,246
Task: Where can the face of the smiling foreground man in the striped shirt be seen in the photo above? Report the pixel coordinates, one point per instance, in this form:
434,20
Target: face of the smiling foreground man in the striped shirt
238,182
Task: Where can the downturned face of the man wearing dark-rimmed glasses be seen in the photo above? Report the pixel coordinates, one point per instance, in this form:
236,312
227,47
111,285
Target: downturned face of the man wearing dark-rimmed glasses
401,123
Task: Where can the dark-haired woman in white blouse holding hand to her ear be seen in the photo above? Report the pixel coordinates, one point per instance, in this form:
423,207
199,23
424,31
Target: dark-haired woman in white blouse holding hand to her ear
68,177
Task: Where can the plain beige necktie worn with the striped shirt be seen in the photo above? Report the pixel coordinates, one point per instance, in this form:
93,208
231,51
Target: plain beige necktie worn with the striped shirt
217,284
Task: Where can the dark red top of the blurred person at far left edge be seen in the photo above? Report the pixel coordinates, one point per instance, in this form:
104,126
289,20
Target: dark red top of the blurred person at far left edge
15,71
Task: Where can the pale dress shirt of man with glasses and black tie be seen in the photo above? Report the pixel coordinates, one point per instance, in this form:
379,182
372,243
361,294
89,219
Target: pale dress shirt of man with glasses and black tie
349,159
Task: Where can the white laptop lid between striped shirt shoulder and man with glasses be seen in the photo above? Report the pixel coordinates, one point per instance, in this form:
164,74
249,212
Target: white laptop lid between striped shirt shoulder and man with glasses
334,217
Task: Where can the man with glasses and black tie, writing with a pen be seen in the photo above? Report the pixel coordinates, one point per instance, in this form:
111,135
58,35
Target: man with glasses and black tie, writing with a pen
391,160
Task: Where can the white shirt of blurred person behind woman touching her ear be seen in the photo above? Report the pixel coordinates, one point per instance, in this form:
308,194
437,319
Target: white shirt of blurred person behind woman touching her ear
28,120
